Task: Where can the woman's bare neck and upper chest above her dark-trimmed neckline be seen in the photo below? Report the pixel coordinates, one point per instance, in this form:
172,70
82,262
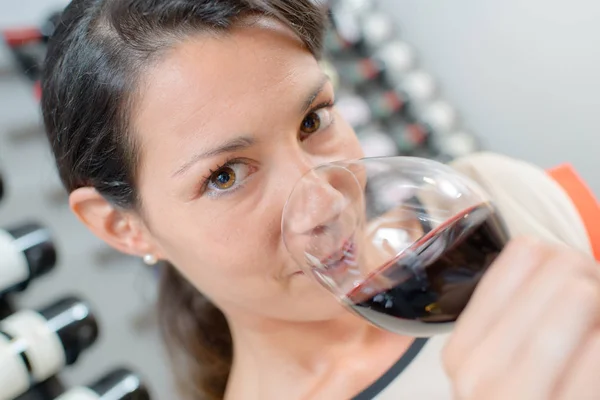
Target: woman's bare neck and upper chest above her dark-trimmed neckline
274,356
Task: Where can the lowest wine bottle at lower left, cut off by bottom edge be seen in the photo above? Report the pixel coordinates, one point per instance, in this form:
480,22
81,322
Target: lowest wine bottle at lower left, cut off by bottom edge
119,384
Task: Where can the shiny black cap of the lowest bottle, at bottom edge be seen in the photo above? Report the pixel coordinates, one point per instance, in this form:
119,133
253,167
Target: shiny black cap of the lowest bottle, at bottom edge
121,384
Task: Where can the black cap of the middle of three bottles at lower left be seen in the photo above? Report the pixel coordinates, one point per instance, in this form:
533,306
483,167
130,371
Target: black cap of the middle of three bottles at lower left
74,323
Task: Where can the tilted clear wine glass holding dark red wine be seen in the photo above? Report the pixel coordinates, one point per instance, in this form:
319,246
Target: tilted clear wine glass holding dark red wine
400,241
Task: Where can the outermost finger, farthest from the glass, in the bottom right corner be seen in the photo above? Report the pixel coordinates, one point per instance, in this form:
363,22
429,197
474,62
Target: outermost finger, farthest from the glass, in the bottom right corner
582,379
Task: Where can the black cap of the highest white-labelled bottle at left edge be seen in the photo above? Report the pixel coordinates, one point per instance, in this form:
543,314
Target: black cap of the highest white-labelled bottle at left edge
36,243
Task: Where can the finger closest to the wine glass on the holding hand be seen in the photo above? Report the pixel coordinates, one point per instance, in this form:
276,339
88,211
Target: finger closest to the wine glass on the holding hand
504,278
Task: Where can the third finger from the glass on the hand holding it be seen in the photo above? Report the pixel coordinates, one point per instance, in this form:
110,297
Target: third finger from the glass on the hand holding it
562,331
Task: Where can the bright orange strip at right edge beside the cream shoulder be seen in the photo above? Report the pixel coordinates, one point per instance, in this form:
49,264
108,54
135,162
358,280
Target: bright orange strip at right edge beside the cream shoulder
583,199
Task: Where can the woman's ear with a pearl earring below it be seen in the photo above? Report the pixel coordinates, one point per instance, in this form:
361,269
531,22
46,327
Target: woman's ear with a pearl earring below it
123,230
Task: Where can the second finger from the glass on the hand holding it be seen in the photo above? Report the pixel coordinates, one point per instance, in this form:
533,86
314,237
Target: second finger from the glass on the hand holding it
497,350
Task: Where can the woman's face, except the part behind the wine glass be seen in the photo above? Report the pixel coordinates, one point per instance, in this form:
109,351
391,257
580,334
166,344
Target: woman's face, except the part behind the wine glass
227,125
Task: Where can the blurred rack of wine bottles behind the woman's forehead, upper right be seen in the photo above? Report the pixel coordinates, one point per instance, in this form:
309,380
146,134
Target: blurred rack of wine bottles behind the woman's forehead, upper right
394,105
